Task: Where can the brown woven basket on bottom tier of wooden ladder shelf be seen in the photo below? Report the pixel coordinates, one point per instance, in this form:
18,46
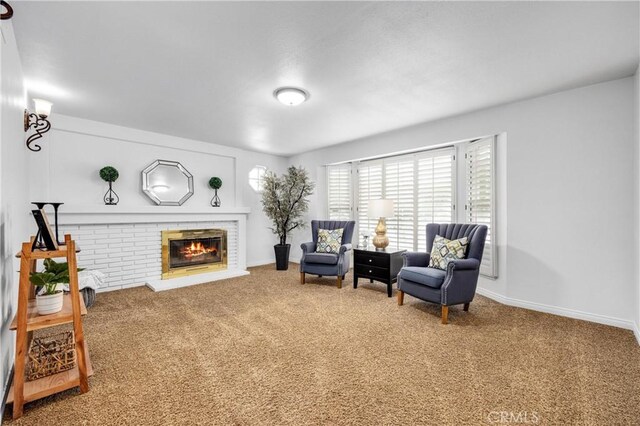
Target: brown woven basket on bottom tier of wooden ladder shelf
51,354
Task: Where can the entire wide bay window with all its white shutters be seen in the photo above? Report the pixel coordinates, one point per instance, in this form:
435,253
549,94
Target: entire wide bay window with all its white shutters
425,190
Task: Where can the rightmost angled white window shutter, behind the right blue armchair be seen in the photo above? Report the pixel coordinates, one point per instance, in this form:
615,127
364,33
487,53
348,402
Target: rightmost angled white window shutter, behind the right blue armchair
480,203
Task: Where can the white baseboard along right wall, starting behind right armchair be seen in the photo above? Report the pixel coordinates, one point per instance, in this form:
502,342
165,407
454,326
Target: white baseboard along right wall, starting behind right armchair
564,312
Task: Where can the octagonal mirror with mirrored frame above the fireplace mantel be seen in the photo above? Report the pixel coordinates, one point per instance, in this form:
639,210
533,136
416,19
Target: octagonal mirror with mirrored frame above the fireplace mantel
167,183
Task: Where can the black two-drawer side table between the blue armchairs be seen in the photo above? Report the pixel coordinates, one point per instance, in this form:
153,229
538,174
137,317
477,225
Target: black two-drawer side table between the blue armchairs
381,266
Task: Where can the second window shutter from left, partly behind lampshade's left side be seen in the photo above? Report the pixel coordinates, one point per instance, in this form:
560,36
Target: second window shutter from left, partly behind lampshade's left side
369,188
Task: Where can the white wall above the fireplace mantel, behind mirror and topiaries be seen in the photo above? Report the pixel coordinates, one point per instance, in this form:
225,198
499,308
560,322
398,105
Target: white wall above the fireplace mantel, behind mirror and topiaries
73,152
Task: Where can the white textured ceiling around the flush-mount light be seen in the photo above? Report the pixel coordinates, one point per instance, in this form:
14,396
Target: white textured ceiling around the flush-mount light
207,71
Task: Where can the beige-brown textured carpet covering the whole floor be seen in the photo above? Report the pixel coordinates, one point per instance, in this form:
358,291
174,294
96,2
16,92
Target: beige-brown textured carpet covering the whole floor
264,349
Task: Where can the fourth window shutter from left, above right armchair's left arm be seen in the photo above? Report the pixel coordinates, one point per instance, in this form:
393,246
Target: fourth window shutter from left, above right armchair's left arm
436,185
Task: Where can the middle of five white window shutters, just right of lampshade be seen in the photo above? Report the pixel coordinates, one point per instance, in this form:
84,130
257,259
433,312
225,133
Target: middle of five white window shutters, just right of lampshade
399,187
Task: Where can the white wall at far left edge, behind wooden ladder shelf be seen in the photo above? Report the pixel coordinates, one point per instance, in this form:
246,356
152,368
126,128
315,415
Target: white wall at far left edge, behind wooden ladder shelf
15,222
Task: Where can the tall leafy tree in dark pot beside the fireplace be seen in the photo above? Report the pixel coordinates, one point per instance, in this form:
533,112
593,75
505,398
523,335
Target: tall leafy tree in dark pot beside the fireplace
284,201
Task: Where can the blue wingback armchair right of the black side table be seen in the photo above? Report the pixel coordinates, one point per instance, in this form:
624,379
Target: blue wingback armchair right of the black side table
456,285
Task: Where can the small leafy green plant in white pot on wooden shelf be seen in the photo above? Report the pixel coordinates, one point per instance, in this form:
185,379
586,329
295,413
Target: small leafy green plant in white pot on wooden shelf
54,274
